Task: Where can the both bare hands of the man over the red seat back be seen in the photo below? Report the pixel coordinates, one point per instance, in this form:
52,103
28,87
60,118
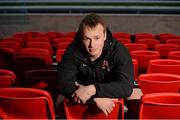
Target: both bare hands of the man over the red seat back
84,93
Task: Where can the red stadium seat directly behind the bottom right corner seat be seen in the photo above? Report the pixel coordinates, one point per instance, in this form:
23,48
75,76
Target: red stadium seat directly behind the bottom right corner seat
159,82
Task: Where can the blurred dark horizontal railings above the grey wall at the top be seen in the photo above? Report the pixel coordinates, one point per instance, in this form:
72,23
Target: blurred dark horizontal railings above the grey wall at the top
87,6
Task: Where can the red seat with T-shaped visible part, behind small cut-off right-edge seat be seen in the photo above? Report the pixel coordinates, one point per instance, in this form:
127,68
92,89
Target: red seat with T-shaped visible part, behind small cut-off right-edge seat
164,49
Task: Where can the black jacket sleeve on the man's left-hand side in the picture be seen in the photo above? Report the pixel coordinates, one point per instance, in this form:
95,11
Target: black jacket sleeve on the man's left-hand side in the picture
67,72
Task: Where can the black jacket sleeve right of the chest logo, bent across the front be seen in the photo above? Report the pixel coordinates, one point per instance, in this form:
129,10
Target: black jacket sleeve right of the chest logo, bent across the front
121,85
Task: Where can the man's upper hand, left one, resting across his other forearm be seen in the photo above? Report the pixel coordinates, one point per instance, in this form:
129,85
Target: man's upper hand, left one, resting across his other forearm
83,93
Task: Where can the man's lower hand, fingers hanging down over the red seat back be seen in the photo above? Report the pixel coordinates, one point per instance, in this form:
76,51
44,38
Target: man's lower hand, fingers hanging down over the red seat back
105,104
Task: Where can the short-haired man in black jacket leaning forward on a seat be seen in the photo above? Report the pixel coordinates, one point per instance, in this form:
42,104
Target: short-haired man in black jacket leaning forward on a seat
95,66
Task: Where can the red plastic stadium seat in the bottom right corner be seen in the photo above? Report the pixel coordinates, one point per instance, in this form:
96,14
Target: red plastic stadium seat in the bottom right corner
160,106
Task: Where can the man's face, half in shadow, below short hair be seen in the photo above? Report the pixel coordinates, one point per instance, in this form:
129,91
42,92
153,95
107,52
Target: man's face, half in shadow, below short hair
93,40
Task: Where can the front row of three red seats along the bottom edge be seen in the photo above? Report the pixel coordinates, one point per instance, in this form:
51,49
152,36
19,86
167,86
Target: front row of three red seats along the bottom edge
24,100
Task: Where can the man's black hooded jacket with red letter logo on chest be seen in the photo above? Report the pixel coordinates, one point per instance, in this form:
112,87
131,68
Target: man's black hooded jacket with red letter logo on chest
112,73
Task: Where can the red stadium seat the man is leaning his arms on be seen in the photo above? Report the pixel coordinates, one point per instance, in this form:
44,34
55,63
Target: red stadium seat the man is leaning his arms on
90,111
